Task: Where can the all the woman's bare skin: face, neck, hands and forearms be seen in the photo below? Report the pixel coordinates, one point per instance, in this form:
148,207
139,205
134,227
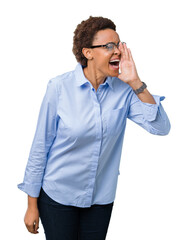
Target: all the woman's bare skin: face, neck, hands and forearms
97,70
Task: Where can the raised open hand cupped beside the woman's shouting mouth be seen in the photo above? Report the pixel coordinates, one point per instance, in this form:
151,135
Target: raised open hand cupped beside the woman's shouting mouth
128,73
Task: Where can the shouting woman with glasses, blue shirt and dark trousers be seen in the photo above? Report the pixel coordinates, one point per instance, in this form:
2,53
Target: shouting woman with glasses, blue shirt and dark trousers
73,166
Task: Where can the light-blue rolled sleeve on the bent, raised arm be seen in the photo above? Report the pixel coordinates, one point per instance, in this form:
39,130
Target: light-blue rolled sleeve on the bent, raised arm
151,117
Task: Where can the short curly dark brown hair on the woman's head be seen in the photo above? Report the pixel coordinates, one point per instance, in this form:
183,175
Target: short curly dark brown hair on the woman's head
84,35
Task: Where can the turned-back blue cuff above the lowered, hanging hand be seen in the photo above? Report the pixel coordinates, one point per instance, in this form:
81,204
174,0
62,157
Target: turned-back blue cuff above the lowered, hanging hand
32,190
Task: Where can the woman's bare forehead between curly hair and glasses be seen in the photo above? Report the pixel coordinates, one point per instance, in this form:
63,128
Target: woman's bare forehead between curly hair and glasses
104,36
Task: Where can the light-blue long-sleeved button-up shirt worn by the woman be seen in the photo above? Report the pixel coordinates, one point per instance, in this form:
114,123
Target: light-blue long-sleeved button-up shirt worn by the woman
76,150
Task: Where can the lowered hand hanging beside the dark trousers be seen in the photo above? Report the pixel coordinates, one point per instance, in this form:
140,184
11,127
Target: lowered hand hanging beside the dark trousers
31,219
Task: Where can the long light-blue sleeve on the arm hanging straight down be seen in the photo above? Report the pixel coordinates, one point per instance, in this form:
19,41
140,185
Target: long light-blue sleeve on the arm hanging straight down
44,136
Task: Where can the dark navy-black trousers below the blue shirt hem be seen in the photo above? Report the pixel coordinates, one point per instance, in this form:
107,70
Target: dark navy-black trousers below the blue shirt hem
62,222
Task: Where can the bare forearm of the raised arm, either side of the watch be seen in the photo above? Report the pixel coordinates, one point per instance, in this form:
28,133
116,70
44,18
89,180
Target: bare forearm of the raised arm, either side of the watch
144,96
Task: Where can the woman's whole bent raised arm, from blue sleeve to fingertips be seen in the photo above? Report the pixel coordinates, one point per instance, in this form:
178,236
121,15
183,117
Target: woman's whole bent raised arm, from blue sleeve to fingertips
145,109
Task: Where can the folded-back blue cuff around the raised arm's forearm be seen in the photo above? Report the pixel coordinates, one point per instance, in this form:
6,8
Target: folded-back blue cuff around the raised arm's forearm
150,110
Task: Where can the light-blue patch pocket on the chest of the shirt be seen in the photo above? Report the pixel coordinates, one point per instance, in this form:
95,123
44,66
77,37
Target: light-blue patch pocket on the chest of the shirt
114,121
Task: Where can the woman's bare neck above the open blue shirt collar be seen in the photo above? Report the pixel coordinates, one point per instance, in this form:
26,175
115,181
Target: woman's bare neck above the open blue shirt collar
93,76
